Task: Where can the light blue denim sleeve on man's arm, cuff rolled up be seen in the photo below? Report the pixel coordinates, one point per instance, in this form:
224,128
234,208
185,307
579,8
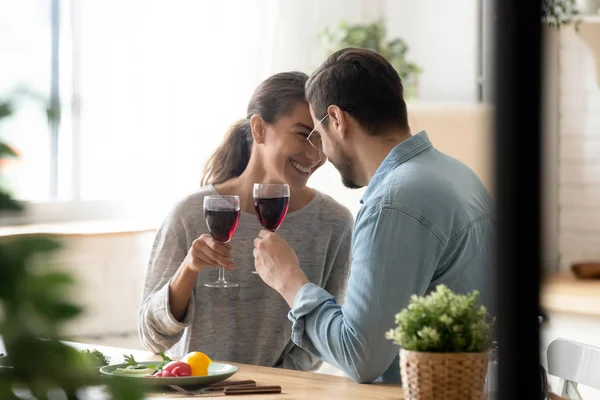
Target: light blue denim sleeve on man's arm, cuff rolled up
395,255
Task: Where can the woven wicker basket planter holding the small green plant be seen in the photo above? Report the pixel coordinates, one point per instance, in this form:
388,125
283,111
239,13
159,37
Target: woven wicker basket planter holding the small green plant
443,376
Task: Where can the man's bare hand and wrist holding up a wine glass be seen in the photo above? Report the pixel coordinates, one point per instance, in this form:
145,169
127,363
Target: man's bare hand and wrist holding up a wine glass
278,266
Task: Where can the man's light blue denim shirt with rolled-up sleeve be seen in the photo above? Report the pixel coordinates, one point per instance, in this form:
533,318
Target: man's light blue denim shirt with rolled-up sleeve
425,219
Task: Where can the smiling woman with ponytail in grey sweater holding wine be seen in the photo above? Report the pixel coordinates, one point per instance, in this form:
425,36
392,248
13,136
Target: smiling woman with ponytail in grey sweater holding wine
246,324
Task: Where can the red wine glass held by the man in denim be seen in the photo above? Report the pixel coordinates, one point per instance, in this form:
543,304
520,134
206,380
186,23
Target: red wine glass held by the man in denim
271,202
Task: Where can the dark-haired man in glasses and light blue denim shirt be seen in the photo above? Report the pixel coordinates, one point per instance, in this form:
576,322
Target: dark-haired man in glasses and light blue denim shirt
425,219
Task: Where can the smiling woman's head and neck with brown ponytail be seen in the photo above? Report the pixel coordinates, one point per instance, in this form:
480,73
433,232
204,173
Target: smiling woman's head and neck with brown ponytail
278,122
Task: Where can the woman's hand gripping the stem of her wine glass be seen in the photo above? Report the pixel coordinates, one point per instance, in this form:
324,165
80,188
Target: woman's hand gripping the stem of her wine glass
207,252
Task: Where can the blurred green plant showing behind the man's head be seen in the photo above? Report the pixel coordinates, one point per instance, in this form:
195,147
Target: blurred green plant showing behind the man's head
373,36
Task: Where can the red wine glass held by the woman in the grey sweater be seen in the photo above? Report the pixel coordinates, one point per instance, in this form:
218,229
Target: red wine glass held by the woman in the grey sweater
222,214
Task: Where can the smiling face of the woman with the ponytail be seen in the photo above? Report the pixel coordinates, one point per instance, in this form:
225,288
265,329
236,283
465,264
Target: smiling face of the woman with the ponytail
287,155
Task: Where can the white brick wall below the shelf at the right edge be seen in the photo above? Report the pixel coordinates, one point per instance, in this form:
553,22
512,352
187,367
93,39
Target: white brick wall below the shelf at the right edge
579,151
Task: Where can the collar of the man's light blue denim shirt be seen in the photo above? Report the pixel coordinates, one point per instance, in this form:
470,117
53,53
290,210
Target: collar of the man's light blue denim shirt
401,153
